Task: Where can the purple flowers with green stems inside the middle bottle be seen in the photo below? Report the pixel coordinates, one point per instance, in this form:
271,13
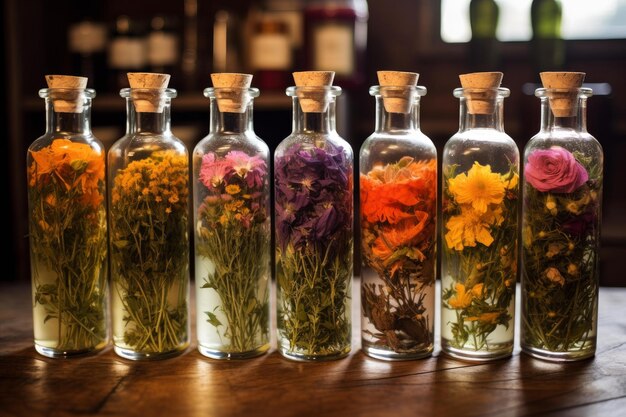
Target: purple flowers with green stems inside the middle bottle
313,200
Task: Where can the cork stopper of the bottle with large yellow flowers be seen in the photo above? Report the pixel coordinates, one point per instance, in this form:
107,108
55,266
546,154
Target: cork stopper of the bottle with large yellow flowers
484,85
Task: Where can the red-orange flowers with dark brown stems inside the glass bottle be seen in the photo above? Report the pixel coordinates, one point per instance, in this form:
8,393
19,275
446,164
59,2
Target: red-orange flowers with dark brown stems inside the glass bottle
398,215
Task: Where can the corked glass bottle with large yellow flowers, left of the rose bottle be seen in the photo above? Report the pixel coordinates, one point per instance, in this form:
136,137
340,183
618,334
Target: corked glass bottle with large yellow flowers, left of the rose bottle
480,193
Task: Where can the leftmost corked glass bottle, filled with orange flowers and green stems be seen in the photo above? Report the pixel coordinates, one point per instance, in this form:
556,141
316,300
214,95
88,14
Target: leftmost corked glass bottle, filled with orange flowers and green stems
67,223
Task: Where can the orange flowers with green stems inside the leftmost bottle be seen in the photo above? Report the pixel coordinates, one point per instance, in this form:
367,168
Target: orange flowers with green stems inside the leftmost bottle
68,242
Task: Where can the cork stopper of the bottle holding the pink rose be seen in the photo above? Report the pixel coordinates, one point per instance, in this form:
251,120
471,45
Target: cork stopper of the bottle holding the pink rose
563,103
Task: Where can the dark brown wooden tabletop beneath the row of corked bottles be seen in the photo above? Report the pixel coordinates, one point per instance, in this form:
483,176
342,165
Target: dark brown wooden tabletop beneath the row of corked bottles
192,385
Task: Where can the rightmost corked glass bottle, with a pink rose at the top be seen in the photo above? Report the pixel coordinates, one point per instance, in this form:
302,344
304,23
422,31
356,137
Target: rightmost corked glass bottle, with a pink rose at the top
561,225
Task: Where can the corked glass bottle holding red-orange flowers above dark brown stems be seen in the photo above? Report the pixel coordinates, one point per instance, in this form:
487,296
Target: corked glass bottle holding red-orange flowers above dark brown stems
398,209
